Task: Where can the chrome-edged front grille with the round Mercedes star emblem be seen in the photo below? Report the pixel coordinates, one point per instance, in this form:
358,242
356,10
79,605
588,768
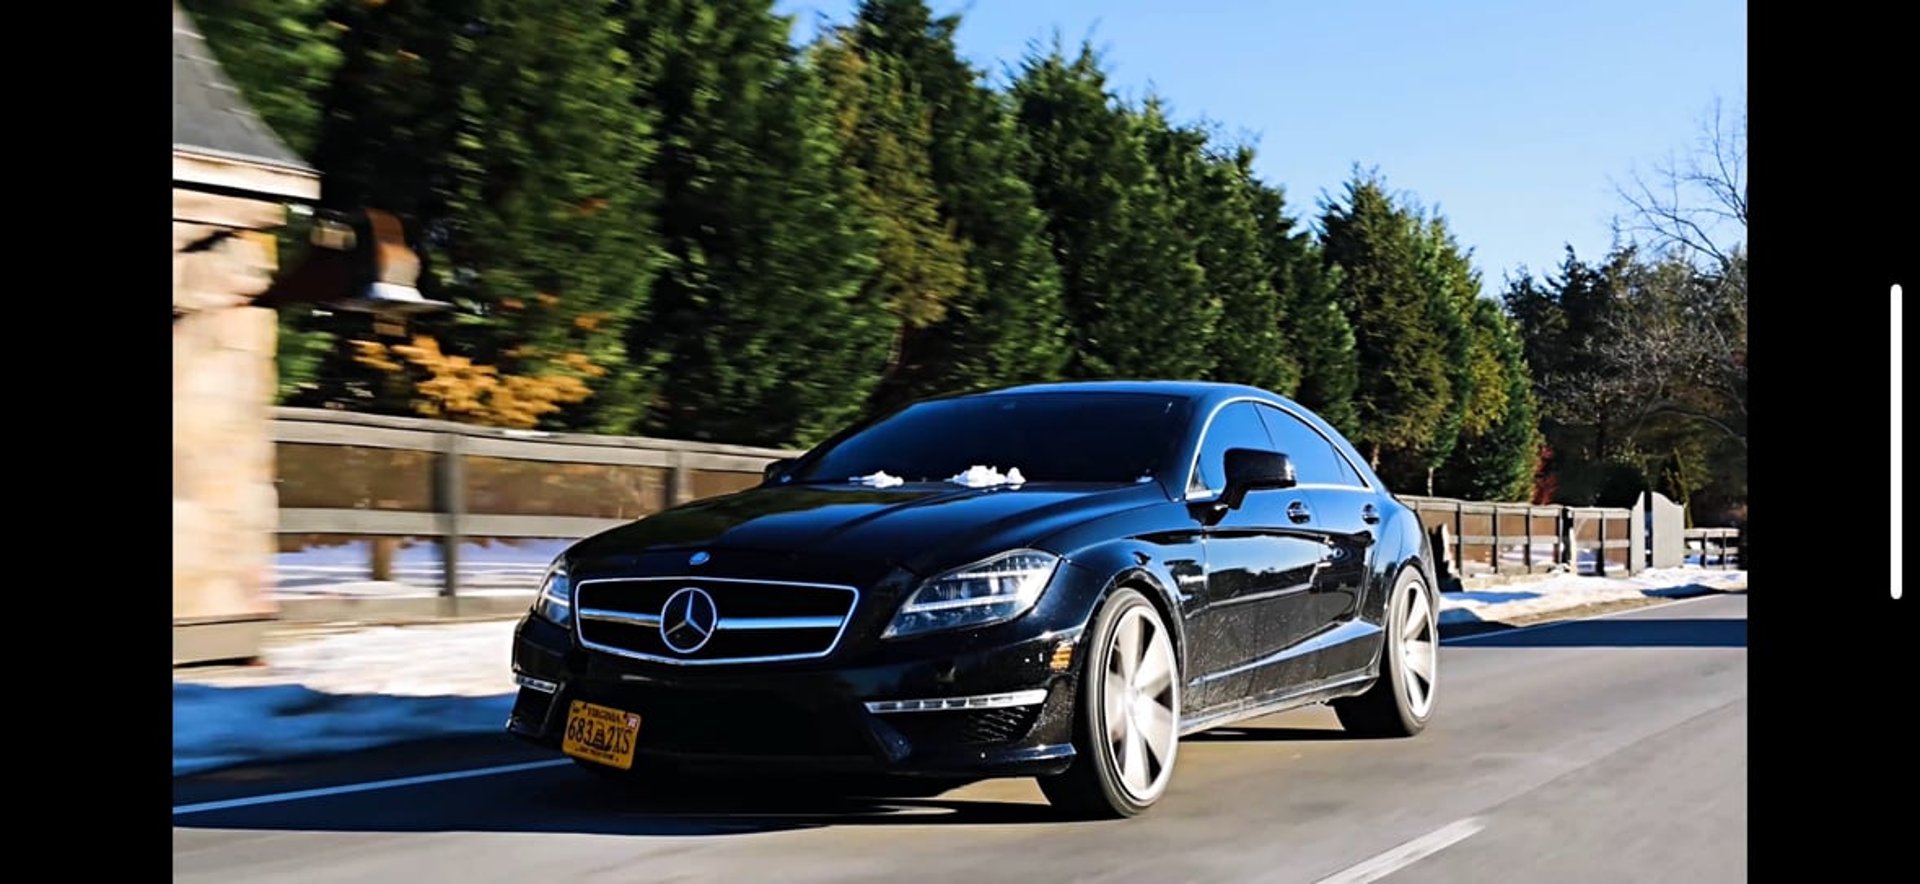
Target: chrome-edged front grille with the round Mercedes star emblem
732,622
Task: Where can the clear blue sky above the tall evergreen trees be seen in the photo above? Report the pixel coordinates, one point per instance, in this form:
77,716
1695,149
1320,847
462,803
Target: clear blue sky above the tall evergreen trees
1512,118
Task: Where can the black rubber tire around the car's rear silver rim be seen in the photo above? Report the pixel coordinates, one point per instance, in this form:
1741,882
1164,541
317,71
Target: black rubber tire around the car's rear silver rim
1387,710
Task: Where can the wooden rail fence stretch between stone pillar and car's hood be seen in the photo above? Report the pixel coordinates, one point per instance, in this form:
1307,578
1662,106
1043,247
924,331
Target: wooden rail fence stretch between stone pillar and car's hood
393,501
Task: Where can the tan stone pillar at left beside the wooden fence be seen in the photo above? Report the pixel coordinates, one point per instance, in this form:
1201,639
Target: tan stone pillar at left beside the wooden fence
224,380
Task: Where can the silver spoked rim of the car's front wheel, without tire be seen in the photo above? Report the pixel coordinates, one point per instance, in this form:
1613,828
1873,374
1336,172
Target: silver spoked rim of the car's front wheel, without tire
1143,704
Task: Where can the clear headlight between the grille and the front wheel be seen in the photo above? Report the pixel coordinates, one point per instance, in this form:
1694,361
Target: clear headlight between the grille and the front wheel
976,595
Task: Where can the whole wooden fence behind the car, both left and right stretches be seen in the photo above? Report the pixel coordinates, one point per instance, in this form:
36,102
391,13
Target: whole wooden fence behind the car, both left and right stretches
372,504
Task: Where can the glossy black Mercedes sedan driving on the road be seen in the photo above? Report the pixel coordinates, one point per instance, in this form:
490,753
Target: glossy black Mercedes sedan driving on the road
1049,581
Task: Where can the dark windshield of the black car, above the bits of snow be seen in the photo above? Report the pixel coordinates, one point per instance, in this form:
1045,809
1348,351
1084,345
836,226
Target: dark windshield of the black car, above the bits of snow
1049,437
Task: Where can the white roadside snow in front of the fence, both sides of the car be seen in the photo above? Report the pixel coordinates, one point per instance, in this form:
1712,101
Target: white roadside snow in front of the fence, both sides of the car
347,691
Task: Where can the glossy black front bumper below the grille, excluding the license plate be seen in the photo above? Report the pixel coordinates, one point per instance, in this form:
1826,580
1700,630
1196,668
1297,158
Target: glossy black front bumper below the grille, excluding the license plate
882,714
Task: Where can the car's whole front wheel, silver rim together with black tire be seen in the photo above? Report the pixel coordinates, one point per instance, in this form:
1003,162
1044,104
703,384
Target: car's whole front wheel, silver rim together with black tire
1126,731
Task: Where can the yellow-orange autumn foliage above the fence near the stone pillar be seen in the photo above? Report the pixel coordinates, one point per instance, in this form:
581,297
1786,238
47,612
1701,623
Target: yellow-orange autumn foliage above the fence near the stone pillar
458,389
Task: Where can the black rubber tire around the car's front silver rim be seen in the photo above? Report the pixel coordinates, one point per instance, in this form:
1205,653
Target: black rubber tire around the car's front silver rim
1093,787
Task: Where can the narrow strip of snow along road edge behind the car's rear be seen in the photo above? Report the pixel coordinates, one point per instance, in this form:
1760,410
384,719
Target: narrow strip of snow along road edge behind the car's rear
1570,591
